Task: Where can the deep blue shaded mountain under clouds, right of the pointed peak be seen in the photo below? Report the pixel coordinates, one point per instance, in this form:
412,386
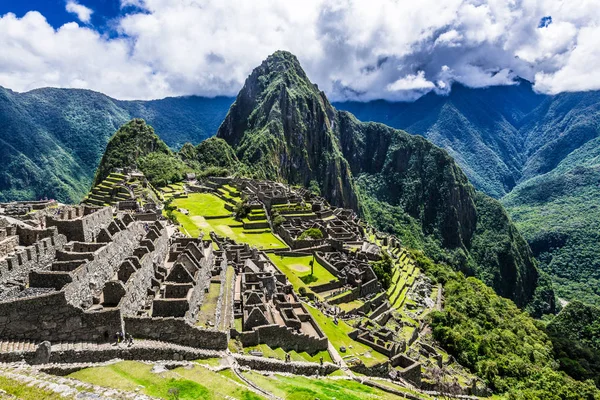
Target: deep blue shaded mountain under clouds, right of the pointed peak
480,128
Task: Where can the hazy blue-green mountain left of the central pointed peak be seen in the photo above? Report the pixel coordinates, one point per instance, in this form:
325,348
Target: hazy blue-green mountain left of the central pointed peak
51,140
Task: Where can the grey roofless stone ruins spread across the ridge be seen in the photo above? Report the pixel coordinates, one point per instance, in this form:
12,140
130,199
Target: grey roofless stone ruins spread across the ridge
84,273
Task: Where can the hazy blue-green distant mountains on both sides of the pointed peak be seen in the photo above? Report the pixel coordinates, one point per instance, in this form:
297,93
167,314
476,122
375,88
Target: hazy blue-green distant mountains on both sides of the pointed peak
537,153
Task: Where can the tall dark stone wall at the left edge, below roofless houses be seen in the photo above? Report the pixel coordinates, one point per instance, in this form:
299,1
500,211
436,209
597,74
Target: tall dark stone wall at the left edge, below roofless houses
51,317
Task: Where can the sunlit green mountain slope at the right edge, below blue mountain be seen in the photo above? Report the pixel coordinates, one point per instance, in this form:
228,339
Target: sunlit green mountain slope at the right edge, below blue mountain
558,214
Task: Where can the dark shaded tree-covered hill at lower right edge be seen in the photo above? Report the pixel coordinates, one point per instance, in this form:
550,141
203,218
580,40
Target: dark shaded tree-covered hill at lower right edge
575,334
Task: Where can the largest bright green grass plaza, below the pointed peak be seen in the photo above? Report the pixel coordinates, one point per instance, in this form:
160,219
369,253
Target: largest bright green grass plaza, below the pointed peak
207,212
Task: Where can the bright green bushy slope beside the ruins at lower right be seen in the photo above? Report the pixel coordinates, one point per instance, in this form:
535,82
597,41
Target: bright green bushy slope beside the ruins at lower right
497,341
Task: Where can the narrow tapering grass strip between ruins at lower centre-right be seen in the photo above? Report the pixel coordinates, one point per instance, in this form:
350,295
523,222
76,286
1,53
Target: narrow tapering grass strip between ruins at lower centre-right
338,336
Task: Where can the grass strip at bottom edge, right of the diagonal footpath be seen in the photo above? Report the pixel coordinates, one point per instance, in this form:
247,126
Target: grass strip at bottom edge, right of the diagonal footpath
304,388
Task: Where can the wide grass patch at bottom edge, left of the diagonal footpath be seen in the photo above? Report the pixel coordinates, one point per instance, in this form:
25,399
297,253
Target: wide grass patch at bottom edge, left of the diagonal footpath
193,383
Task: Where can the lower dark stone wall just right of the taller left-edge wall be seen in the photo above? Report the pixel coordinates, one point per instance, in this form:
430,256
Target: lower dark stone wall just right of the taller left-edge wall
176,330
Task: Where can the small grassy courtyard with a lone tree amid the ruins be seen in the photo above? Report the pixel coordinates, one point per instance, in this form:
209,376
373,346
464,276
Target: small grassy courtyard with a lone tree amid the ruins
297,270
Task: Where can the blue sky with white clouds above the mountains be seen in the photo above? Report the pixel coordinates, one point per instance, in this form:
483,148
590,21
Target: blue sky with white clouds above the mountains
360,50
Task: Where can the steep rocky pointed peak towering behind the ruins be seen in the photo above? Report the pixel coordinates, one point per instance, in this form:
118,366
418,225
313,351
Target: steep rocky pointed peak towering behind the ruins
281,125
